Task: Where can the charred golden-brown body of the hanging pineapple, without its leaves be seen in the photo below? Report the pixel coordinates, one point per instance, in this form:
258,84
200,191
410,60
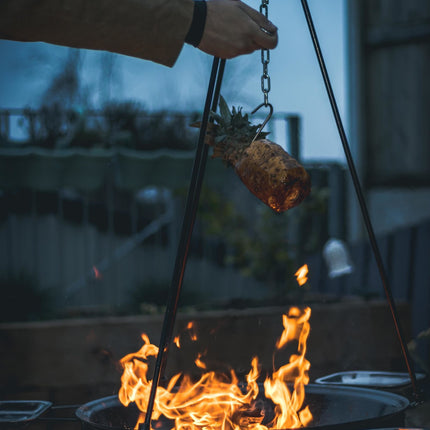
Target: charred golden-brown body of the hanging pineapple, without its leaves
272,175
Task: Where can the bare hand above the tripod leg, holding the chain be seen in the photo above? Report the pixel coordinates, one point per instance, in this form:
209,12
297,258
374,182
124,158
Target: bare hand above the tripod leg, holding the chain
233,28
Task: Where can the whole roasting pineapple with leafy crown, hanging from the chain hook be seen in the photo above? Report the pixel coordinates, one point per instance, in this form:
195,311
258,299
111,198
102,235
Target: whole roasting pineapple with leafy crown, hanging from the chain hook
266,169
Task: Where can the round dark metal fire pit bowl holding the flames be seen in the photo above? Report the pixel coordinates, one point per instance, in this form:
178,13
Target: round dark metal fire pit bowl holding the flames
332,408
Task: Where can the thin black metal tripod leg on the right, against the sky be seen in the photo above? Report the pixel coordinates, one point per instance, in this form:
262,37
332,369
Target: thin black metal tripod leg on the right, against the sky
361,200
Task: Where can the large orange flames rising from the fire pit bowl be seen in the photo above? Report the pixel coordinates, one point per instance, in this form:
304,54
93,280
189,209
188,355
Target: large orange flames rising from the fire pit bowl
218,401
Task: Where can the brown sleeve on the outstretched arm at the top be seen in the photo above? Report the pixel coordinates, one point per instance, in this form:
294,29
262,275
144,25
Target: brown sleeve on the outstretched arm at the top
150,29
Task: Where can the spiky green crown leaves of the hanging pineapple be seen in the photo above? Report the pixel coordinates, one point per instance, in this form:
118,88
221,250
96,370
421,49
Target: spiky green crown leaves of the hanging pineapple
234,125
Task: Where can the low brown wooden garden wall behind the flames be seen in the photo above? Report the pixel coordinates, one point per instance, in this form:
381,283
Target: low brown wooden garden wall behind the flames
77,360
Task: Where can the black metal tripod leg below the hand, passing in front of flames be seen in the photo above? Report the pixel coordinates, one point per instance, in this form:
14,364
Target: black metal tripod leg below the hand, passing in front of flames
185,238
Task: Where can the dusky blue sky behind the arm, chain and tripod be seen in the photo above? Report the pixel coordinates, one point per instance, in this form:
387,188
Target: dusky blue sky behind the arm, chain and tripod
296,84
